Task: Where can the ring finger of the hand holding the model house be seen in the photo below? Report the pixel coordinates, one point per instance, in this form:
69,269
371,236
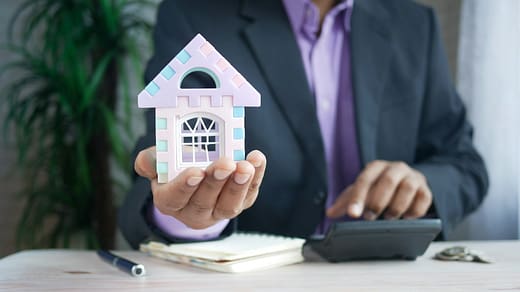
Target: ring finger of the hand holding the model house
231,199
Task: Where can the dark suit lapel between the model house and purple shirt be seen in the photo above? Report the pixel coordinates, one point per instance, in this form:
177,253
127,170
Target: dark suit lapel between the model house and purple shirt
273,43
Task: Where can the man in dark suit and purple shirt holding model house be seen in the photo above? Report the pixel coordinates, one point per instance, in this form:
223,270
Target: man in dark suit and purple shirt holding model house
359,119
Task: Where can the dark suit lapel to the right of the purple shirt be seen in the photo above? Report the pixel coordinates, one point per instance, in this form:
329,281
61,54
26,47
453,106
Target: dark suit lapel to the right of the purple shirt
371,49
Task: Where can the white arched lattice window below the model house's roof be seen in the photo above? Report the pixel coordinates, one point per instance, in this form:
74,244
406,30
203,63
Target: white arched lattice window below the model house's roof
200,140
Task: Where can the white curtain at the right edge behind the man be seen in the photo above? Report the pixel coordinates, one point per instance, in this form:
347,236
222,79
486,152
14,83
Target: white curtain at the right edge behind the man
489,82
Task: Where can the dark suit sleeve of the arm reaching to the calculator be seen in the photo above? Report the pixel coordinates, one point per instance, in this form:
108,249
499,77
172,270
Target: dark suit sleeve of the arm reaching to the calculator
446,155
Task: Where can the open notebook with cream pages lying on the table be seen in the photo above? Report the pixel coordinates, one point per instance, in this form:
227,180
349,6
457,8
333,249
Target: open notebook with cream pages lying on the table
240,252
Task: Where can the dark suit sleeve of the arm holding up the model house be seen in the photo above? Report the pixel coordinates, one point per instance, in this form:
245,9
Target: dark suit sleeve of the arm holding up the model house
172,32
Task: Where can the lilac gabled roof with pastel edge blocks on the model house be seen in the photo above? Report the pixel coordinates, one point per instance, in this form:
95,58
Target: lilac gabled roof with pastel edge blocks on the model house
198,55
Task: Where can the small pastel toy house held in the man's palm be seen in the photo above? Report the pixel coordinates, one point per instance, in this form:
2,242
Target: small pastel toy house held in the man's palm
195,126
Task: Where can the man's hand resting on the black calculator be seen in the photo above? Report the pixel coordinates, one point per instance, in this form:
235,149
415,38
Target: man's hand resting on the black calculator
390,187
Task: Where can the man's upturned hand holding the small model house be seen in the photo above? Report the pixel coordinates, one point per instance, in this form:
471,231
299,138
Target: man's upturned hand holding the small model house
200,198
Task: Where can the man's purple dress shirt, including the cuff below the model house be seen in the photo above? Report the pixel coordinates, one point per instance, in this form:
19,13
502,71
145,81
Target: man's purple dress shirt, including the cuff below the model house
326,58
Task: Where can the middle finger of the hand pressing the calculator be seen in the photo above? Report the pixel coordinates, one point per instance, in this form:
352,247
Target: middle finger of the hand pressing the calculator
382,192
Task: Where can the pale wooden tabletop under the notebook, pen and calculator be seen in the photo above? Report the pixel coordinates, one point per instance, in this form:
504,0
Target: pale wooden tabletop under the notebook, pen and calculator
67,270
